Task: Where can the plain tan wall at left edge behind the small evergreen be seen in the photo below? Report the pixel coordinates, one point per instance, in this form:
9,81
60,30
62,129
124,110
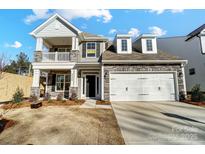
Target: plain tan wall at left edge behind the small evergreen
9,83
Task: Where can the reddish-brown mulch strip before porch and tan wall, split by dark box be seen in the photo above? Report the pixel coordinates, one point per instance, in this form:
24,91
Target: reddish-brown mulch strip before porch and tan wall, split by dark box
44,104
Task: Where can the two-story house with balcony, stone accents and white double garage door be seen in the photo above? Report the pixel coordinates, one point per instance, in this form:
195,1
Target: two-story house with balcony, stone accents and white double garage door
90,67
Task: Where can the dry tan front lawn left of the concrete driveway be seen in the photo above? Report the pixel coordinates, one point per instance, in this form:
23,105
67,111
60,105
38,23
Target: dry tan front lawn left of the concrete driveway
62,125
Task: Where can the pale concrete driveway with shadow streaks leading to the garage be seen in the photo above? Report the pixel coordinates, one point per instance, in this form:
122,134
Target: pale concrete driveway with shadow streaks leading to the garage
160,122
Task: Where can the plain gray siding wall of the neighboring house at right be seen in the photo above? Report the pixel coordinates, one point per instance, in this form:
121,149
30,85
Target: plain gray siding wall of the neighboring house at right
191,51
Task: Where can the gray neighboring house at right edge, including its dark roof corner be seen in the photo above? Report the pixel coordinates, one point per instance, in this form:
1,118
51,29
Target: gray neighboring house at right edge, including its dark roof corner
192,48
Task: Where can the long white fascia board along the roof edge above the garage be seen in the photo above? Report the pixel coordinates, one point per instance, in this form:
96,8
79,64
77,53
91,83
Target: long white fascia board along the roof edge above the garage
144,61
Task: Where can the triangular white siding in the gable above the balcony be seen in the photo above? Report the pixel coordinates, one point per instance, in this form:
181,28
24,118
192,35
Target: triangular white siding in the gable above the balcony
56,29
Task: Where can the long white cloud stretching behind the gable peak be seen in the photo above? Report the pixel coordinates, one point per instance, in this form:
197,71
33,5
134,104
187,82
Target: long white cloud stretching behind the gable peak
70,14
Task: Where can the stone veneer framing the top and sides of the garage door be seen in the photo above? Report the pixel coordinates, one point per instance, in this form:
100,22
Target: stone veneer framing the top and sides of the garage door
138,68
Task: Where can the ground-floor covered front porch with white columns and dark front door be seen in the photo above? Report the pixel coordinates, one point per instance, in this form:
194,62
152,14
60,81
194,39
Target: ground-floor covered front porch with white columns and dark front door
78,82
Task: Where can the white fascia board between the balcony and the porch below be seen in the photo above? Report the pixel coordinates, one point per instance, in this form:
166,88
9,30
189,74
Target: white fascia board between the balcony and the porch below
53,65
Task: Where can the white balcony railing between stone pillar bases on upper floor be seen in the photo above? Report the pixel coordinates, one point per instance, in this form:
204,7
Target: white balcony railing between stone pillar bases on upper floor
55,56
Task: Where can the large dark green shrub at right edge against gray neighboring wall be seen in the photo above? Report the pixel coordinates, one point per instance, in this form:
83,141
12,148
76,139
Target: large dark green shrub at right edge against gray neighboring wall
196,94
